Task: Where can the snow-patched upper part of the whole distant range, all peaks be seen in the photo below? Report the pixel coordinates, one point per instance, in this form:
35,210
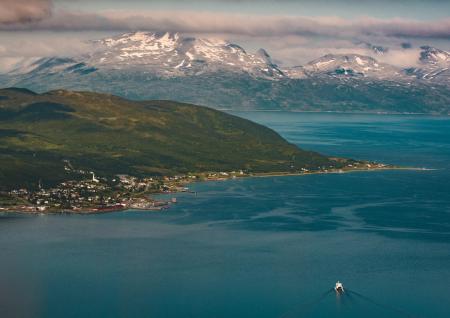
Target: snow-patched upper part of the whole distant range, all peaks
172,55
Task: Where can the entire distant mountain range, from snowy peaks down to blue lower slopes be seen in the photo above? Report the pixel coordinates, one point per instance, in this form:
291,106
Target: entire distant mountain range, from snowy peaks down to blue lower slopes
223,75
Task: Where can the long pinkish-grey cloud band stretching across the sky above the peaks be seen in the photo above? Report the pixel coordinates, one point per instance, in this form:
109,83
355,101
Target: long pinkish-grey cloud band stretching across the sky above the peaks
232,23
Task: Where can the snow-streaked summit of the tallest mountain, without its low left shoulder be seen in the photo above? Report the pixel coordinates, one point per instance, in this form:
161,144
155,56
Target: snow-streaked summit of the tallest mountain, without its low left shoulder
170,54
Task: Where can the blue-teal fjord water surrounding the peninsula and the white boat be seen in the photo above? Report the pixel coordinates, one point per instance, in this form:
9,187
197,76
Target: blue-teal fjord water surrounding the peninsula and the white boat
258,247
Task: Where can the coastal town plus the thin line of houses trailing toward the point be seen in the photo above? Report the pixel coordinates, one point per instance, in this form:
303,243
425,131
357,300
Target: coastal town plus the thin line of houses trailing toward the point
94,194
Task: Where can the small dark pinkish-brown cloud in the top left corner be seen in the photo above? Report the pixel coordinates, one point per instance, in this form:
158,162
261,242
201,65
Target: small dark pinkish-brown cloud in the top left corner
20,12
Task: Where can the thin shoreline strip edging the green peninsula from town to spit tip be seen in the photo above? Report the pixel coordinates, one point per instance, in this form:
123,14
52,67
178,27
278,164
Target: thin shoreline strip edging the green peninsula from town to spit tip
93,211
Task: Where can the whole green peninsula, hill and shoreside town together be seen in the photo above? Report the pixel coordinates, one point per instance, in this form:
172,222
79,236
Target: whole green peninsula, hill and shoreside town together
85,152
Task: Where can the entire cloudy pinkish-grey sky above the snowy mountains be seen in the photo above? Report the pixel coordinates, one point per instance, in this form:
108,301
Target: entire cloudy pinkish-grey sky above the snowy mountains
293,32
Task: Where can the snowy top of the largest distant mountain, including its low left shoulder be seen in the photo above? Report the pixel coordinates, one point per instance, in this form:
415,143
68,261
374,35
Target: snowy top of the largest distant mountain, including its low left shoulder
164,54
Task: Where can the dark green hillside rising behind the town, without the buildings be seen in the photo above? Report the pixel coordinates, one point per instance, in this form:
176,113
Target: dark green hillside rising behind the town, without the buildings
40,134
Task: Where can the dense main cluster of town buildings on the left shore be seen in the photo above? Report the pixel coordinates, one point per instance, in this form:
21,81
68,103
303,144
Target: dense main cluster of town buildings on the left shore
97,195
